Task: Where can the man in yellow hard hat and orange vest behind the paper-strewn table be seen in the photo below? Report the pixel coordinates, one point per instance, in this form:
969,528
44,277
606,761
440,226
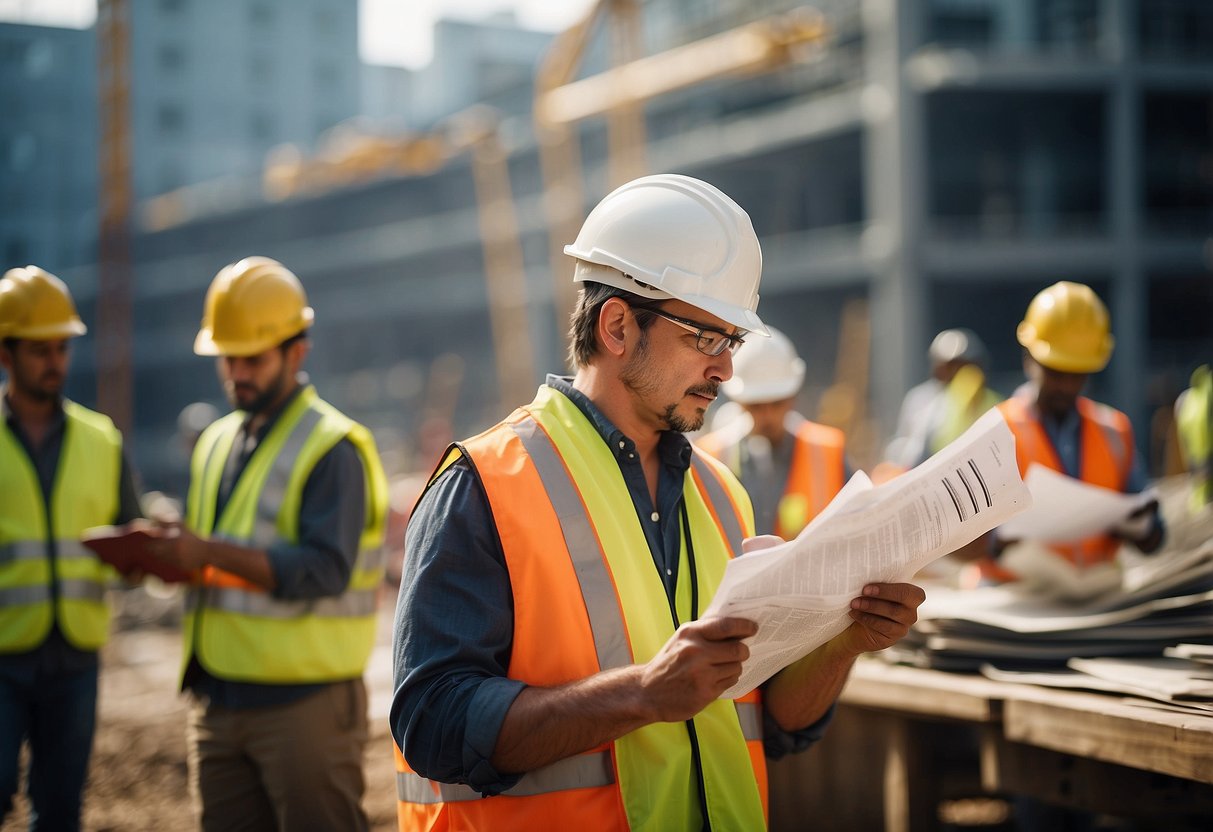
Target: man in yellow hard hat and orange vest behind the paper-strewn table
1067,338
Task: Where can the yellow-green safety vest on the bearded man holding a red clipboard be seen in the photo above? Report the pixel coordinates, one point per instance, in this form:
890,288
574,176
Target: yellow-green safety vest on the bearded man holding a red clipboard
238,631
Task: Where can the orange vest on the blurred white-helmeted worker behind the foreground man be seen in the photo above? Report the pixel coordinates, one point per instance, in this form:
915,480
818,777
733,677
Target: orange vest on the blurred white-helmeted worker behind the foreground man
817,475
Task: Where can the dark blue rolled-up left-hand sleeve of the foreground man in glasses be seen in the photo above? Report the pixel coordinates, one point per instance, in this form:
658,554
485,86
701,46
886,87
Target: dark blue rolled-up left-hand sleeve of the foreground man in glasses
453,637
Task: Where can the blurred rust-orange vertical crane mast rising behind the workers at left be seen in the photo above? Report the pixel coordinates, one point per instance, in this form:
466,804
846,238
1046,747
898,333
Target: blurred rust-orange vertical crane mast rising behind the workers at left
116,389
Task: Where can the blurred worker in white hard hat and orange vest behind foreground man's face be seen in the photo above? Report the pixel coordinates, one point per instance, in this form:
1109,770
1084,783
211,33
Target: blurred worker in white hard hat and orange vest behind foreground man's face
790,468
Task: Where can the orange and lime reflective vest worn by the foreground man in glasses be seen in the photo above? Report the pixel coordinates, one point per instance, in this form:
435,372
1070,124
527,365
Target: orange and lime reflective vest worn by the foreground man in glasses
553,489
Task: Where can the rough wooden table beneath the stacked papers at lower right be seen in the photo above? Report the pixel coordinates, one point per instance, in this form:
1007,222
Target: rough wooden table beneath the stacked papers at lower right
906,739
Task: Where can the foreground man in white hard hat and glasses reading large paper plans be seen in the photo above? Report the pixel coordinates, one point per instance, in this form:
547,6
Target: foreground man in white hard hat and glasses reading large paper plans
549,652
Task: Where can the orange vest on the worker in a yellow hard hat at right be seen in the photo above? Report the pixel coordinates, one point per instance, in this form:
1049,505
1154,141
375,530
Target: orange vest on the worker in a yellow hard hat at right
1106,455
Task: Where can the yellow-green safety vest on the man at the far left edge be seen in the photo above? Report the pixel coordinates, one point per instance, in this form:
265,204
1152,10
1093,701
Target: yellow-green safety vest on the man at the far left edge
87,487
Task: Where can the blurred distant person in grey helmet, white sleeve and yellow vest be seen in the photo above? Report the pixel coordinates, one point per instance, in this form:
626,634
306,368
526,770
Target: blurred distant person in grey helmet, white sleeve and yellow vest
941,409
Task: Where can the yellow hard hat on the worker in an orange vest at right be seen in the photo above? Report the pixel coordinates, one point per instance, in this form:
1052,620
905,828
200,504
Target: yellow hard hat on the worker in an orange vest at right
1067,329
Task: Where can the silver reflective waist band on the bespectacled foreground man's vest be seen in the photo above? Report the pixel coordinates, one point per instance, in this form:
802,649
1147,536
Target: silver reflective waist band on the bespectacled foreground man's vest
579,772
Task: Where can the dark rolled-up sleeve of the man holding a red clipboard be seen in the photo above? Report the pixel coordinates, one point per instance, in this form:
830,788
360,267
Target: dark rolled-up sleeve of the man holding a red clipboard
333,511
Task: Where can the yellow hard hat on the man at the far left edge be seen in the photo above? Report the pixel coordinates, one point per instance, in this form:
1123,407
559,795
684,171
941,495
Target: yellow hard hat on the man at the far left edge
37,306
